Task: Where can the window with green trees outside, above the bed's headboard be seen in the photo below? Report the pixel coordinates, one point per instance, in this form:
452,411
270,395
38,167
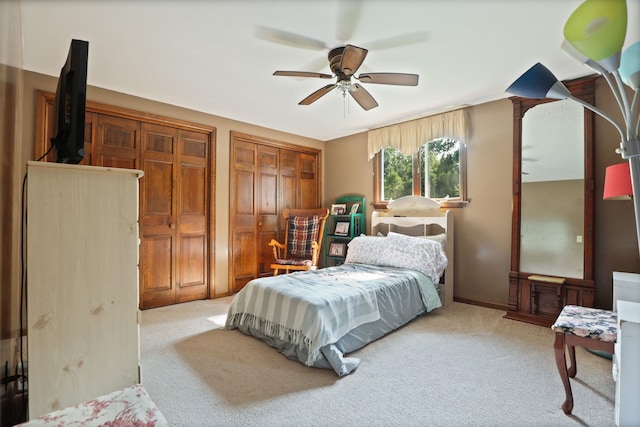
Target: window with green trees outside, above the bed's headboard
436,171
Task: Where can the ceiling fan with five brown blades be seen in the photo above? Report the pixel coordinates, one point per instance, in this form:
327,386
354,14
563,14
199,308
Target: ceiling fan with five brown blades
344,61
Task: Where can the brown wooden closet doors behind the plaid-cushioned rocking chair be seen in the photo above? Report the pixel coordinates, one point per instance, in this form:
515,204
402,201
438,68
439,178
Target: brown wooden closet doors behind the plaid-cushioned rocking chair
264,179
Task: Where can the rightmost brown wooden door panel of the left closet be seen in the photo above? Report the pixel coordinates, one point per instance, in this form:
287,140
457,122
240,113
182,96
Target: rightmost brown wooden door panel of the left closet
192,214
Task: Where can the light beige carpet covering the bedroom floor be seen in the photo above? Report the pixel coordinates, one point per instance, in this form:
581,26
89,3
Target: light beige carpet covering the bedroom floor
460,366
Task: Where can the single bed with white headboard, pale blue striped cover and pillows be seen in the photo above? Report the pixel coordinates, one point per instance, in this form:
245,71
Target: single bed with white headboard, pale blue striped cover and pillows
399,272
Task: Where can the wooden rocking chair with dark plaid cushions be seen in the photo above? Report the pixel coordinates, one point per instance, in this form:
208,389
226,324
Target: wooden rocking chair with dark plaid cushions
303,240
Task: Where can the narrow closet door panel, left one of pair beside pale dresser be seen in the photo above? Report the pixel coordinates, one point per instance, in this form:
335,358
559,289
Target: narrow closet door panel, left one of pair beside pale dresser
158,219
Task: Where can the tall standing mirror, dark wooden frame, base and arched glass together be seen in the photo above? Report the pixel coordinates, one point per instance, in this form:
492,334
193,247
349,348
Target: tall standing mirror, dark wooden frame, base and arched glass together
553,205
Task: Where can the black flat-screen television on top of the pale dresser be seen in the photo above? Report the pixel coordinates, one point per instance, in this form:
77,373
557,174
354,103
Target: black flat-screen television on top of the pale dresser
70,105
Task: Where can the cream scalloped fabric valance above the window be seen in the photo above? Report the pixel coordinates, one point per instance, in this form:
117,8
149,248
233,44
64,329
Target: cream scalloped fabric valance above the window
409,136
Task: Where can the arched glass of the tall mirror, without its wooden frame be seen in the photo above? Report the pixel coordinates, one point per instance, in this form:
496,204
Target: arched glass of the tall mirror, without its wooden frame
552,200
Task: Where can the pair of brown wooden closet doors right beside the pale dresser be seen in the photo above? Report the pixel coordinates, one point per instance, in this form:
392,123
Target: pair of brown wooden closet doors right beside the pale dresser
173,216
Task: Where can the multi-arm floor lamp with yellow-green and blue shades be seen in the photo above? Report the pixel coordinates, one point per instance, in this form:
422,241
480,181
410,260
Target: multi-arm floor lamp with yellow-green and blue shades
594,35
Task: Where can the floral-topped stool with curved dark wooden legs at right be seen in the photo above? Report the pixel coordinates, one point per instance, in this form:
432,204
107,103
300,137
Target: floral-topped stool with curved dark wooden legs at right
591,328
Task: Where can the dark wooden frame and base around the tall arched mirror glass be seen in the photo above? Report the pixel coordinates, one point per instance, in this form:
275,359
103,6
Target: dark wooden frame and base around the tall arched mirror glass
536,298
